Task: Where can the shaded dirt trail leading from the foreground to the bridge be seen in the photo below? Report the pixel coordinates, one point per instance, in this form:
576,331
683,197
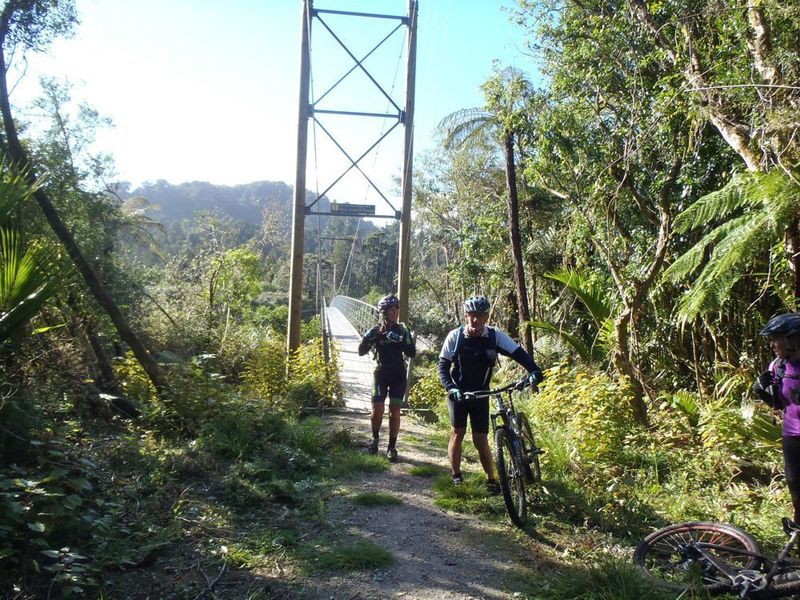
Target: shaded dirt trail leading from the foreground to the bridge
438,554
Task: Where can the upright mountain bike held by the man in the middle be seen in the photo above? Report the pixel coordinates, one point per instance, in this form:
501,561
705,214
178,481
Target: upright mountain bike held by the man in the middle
516,455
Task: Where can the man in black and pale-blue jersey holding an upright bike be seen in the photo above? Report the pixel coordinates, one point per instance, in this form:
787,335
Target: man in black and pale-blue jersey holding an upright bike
468,355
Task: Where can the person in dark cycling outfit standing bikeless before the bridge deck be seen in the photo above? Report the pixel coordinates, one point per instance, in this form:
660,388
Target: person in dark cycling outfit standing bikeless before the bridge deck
390,340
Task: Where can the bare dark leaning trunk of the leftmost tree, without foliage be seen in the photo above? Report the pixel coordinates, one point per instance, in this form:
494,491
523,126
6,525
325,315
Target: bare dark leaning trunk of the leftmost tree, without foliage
19,157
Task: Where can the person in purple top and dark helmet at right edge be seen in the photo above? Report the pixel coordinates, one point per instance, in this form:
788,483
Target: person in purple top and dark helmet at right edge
779,387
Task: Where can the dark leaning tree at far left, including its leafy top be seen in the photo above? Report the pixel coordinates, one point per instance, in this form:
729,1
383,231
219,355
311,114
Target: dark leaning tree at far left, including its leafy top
31,25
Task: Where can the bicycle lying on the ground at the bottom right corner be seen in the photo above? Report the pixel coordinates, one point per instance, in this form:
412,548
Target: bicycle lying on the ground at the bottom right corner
720,558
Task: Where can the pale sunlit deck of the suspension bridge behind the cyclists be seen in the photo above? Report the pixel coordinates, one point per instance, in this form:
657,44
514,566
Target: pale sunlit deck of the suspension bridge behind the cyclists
356,371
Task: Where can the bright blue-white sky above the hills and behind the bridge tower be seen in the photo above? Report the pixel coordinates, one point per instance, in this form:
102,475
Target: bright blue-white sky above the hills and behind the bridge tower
205,90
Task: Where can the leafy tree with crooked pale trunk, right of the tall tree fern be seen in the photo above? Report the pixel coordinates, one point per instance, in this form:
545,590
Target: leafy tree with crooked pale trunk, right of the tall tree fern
610,139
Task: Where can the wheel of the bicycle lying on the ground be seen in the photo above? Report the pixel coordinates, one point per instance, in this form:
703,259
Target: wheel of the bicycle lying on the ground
661,556
